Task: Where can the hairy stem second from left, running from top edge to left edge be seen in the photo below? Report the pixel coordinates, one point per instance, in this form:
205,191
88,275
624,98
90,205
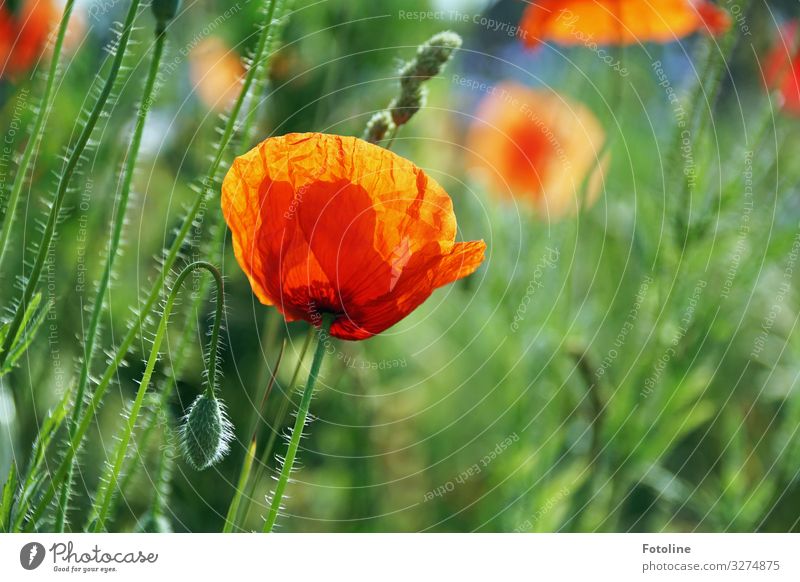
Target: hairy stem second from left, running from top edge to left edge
76,151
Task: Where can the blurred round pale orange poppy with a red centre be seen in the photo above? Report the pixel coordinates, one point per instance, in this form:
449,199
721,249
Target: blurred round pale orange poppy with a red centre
537,145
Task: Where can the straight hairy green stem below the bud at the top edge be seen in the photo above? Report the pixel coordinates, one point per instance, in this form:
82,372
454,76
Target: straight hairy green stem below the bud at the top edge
113,249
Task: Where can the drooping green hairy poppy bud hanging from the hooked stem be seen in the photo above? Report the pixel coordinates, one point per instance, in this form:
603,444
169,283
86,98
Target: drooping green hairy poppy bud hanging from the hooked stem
205,433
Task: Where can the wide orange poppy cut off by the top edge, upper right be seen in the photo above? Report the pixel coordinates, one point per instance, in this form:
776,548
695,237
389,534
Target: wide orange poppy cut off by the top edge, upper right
619,22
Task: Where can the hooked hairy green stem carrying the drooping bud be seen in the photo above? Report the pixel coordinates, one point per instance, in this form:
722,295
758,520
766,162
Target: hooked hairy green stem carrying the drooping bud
102,502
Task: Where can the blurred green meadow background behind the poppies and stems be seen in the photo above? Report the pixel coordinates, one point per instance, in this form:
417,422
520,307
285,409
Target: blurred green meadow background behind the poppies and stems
582,419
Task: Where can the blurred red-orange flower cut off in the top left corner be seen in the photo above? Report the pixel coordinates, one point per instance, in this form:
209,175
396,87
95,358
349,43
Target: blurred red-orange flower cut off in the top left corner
24,34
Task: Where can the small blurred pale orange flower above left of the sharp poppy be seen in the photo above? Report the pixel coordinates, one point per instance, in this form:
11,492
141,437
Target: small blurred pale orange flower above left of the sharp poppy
216,72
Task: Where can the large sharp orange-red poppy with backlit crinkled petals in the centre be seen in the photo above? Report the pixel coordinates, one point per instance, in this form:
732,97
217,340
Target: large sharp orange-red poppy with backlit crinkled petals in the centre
330,224
